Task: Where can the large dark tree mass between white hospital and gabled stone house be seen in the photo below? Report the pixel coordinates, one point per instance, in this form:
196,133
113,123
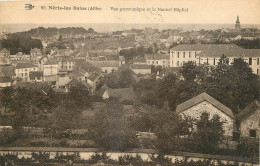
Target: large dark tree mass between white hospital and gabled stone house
234,85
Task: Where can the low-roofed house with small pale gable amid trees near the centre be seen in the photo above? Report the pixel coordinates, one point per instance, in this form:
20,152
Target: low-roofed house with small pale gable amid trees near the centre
124,95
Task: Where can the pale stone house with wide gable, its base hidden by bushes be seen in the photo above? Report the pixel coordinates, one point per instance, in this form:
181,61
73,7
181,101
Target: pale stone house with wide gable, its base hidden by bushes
204,103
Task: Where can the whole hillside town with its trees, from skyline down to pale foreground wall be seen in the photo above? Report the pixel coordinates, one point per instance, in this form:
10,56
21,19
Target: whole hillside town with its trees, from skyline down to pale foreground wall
165,90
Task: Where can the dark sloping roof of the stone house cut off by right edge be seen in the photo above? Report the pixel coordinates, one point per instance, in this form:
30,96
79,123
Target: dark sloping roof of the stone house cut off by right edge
248,111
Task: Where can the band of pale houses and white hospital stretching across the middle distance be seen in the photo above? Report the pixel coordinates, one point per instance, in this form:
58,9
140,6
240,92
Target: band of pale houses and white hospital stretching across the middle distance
63,65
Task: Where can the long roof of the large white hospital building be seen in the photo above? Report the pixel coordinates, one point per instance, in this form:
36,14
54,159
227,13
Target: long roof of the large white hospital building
211,50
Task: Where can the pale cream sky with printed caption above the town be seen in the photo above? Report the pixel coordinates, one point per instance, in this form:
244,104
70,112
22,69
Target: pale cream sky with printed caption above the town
199,12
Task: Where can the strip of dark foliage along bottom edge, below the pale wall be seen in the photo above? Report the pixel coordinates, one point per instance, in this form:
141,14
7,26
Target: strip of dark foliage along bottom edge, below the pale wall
97,158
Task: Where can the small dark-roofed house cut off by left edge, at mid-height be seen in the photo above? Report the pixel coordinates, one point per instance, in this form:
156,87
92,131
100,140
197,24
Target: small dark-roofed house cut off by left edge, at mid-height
6,75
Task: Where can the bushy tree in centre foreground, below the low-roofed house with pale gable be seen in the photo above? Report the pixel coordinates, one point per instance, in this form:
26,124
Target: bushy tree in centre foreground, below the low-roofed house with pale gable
111,130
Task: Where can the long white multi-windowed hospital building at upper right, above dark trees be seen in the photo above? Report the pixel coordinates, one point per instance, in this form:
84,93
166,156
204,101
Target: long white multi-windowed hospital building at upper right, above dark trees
210,54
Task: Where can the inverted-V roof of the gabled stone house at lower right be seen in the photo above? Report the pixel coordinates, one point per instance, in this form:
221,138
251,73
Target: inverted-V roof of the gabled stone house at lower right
200,98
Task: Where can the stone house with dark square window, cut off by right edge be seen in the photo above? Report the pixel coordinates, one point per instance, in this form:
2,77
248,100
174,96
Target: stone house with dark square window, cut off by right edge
249,121
